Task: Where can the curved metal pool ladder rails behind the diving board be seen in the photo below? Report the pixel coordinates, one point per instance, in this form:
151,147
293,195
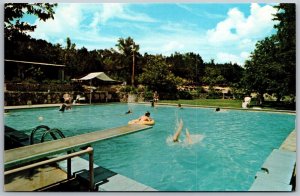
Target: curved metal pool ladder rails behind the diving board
53,132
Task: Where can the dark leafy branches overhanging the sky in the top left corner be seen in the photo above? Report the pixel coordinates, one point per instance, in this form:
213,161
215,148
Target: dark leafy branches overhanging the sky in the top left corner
13,13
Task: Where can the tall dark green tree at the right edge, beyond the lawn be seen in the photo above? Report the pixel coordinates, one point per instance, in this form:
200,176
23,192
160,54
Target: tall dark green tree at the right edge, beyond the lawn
272,67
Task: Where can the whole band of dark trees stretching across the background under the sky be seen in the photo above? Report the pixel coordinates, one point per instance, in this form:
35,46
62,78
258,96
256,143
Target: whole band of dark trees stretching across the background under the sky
270,69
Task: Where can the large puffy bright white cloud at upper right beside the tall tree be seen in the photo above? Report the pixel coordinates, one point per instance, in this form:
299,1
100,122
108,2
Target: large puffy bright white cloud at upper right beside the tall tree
237,27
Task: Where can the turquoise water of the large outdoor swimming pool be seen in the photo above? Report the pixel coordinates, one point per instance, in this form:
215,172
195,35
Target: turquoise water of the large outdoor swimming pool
229,146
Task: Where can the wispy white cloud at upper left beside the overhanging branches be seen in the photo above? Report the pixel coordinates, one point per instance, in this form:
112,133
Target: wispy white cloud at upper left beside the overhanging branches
83,22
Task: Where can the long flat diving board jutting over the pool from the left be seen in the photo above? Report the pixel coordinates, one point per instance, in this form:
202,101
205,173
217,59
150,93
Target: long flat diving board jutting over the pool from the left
22,155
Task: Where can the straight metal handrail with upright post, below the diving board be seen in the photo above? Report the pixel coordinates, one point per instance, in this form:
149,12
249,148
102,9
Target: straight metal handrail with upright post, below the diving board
88,150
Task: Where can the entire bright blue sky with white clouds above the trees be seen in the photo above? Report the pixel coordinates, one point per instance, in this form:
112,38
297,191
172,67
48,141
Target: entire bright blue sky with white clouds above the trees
223,32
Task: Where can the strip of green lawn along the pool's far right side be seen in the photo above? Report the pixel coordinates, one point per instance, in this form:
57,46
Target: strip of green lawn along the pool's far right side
230,103
